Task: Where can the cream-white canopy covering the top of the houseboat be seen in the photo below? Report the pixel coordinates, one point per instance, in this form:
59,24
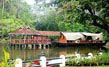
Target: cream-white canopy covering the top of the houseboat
81,35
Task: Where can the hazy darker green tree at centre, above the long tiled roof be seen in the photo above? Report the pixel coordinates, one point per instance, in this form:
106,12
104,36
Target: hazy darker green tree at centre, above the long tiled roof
47,22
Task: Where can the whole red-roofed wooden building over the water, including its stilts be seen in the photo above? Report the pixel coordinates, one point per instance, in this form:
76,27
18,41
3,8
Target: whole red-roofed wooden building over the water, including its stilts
24,37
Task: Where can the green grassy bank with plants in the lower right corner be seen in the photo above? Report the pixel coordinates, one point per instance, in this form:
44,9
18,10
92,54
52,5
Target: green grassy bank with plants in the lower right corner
96,60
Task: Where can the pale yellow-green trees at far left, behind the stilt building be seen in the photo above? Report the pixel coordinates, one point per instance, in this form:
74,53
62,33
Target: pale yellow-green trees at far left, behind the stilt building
13,14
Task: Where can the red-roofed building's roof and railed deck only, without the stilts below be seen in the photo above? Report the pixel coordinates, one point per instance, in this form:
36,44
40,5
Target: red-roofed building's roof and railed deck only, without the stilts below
24,35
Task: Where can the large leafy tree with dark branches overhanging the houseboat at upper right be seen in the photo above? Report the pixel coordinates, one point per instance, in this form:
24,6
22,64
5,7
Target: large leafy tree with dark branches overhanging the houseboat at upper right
92,12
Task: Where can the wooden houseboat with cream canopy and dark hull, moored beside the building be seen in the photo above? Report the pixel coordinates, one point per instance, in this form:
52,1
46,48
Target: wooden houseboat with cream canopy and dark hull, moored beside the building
81,38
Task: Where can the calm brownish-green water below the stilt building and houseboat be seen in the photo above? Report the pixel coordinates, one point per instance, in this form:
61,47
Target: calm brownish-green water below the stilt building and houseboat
51,52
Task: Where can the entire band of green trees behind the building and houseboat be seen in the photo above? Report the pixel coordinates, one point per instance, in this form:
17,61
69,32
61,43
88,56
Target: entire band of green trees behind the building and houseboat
70,15
